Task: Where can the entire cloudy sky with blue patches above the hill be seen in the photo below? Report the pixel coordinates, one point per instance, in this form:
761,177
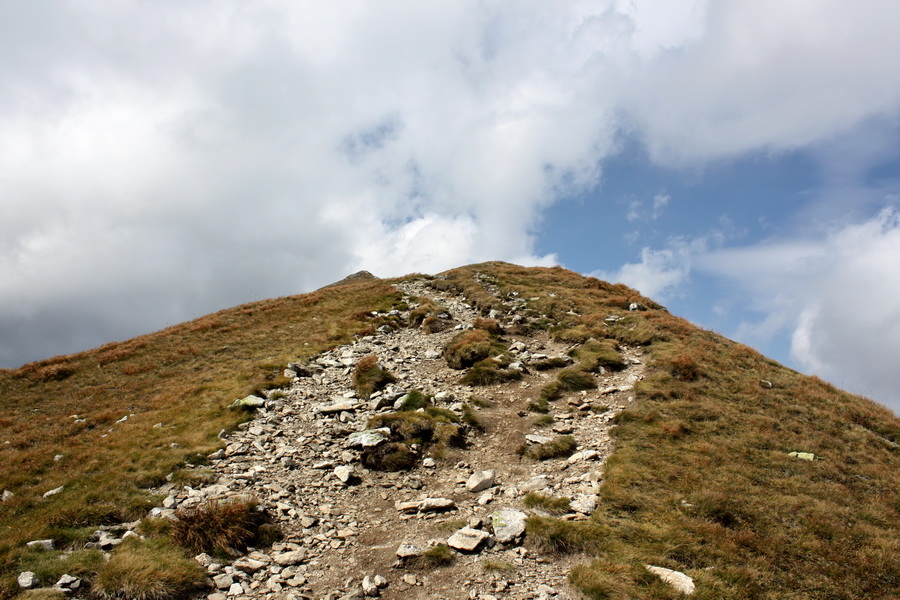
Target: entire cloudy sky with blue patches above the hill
735,160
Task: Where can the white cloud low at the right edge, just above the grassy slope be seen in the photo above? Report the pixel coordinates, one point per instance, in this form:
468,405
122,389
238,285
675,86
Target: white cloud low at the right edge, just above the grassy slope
837,294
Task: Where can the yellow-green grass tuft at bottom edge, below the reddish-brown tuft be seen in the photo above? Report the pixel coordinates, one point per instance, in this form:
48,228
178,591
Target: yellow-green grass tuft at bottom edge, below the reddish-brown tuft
148,570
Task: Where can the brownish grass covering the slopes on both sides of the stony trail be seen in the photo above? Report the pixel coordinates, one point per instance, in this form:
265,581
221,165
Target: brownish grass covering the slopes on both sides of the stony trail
702,480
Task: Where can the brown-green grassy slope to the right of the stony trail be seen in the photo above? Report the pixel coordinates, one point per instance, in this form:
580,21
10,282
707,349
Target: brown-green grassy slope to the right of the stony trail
702,480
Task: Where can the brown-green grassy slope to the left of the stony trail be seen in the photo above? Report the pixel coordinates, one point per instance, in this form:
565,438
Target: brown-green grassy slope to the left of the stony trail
60,423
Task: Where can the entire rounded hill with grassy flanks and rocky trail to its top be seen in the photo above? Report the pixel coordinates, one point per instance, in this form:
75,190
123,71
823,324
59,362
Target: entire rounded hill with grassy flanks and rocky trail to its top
492,431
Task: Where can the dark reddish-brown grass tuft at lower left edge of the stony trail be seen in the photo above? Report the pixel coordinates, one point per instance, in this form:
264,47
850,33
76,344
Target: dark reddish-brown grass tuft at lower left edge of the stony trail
218,528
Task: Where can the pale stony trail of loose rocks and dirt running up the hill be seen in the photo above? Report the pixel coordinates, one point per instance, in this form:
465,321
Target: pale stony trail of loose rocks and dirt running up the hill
345,526
